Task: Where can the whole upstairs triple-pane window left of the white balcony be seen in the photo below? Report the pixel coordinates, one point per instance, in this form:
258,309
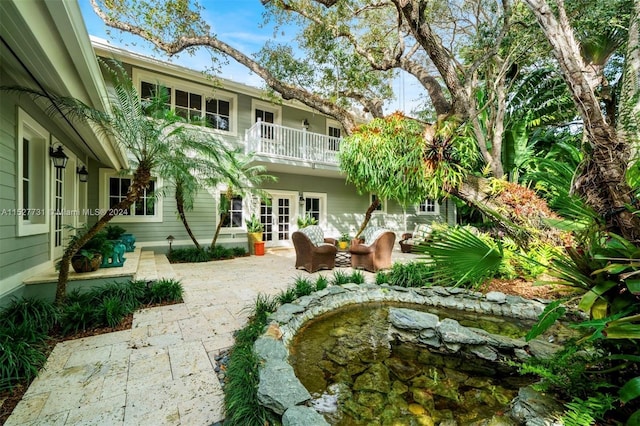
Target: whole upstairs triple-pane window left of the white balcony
197,103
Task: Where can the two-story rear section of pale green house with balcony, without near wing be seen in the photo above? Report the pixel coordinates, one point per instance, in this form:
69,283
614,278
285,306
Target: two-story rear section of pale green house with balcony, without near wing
296,144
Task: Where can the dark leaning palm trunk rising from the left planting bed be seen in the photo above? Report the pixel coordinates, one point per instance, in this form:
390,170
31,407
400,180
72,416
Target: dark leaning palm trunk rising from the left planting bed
141,179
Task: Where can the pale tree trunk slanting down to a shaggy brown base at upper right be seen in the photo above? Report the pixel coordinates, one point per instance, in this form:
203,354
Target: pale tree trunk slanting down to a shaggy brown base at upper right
600,179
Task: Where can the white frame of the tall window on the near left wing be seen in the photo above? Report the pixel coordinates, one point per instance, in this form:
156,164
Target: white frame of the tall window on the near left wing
39,181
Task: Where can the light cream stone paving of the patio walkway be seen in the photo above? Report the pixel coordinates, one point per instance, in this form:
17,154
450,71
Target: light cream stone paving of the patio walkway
161,372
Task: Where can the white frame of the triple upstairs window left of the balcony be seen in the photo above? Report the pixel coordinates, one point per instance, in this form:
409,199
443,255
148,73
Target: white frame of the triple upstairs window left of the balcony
207,92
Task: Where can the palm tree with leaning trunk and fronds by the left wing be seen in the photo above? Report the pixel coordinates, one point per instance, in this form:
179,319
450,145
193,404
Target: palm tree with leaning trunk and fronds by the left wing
150,136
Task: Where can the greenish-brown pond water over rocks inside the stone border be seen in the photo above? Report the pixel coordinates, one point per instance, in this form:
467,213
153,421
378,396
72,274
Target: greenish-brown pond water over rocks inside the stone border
357,376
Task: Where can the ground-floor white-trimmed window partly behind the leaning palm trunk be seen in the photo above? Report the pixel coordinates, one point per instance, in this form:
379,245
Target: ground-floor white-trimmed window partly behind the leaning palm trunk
148,207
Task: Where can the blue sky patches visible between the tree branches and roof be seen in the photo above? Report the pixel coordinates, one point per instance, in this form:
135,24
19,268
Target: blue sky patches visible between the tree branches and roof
239,23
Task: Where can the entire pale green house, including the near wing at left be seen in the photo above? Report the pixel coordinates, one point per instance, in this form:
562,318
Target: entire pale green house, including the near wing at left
58,173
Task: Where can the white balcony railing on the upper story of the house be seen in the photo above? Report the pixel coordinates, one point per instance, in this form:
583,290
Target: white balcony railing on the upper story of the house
278,141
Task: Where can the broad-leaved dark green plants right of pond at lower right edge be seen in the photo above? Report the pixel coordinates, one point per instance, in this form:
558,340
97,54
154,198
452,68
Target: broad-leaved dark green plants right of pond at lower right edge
606,270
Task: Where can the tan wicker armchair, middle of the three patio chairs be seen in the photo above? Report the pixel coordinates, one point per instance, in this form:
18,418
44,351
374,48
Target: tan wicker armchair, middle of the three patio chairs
374,252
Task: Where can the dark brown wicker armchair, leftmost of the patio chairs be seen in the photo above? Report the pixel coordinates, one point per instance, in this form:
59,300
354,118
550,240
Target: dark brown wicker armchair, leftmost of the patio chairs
313,251
